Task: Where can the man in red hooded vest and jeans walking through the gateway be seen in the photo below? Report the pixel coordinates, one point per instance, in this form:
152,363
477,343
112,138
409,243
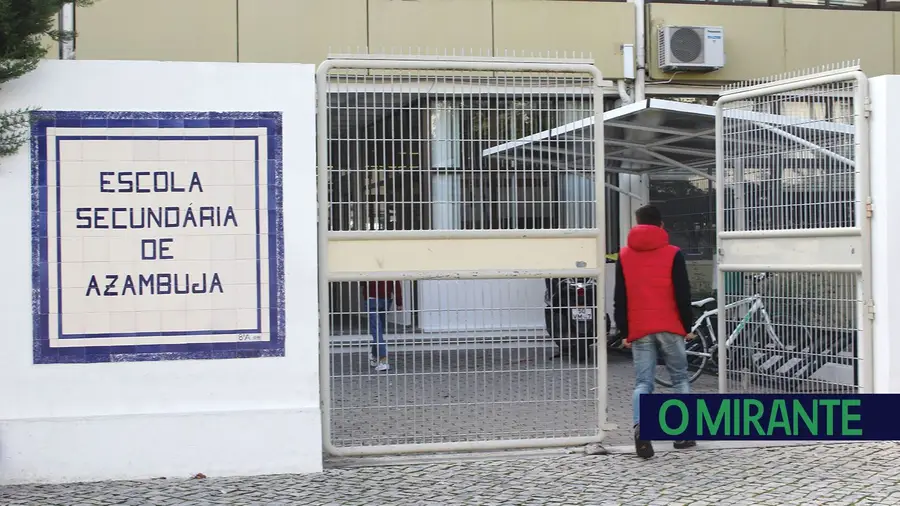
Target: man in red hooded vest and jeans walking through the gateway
653,310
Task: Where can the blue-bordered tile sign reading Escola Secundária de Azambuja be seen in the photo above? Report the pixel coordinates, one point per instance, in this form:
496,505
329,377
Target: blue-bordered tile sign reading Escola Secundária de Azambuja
156,236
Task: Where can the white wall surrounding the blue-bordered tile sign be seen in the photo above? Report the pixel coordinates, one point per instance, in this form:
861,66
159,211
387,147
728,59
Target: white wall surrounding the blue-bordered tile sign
126,420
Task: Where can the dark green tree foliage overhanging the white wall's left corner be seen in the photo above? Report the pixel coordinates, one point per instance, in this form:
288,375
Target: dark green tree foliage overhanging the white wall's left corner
23,26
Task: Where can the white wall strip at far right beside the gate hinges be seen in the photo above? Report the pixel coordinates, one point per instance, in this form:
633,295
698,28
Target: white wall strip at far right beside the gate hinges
885,169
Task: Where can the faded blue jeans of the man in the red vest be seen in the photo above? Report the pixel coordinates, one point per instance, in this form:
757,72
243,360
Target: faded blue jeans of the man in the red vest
644,353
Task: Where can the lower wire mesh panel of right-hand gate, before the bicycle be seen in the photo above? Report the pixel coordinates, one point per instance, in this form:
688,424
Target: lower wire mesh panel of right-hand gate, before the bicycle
800,338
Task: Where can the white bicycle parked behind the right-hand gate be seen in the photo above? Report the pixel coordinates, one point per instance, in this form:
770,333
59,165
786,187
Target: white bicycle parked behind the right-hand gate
702,349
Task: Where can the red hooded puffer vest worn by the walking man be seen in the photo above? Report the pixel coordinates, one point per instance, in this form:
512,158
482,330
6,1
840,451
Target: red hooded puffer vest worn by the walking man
647,267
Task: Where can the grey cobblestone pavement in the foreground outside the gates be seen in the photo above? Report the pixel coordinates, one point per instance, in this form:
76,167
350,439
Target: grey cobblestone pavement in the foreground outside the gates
836,474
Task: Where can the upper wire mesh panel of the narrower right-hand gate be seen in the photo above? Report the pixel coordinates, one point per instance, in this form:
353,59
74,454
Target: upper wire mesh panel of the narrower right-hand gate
791,160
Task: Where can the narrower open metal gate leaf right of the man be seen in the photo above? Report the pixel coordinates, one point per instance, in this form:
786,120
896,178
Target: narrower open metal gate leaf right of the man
793,247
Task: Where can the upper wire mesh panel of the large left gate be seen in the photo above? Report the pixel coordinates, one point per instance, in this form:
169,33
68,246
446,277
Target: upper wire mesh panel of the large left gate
407,152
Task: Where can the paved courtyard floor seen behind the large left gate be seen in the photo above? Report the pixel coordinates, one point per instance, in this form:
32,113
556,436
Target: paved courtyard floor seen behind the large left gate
440,395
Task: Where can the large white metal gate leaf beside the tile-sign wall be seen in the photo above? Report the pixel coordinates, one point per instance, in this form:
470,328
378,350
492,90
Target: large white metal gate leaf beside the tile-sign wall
446,255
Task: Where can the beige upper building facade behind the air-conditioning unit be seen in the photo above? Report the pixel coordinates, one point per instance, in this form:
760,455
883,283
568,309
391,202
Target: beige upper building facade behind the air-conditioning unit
762,38
